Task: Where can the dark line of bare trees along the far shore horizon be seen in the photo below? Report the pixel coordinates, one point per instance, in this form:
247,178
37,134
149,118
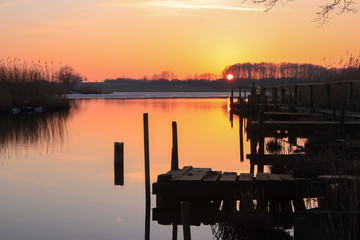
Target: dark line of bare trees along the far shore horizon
259,72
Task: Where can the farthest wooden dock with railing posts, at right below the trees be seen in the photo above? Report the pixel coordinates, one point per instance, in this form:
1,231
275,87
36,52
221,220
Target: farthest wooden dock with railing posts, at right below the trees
323,99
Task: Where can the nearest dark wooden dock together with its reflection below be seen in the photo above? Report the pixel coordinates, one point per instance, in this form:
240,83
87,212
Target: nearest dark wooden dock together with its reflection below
209,191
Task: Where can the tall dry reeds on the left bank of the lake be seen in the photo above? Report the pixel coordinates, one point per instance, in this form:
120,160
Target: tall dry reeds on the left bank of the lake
30,84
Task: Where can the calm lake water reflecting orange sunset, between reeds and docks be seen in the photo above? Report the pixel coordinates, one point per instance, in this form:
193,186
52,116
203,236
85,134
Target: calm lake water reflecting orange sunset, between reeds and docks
56,175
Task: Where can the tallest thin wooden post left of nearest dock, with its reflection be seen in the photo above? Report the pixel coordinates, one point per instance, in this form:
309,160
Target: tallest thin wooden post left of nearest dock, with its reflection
147,176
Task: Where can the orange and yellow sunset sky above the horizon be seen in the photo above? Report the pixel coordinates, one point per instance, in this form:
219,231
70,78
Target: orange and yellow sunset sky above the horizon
113,38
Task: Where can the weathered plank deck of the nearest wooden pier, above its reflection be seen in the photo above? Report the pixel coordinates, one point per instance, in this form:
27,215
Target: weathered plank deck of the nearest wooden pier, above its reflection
201,182
